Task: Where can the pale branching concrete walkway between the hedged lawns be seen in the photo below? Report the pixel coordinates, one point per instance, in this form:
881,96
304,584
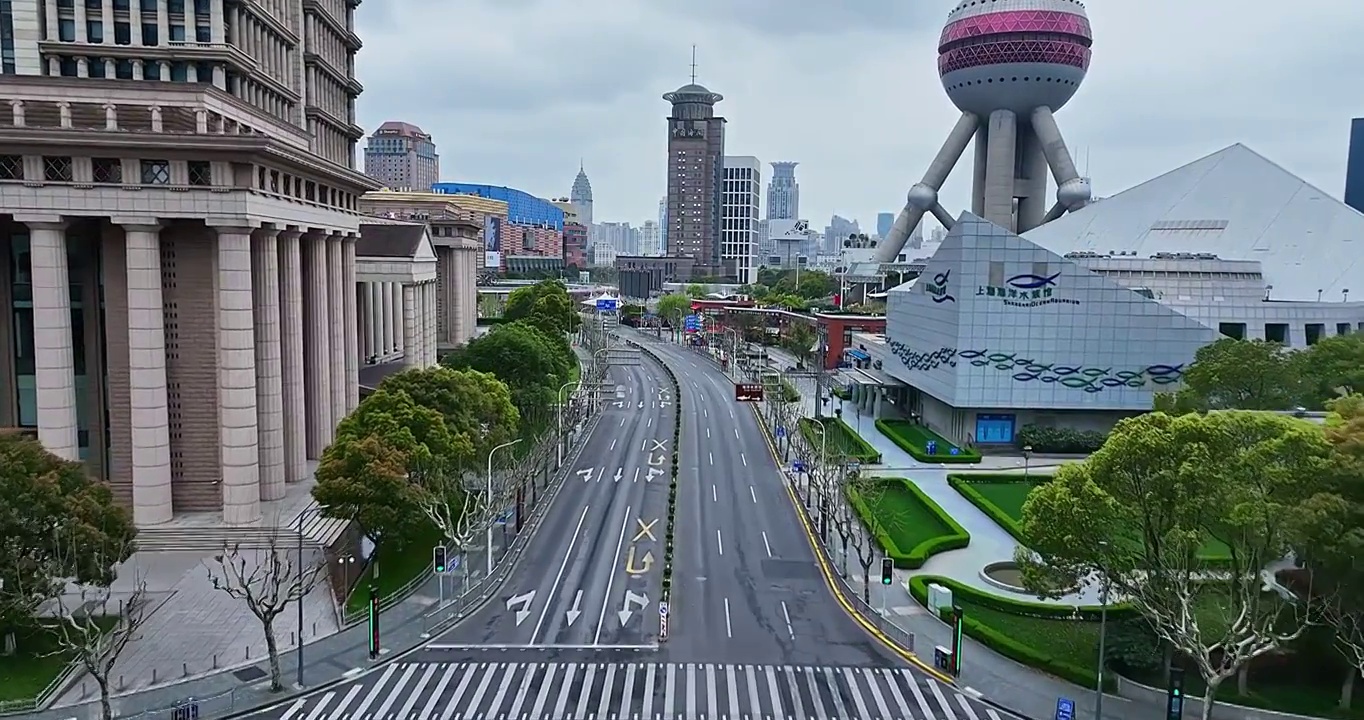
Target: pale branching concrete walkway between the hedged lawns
990,542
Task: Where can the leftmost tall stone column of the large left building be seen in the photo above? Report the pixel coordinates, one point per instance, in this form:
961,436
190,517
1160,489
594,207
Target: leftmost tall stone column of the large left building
53,343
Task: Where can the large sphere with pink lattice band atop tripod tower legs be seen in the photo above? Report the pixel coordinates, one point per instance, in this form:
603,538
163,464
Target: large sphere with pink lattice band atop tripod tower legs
1014,55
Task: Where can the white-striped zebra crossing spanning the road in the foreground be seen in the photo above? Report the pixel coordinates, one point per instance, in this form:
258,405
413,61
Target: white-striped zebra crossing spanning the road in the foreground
639,692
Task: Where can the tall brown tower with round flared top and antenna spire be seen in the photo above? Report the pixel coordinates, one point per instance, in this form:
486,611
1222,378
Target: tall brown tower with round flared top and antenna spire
696,167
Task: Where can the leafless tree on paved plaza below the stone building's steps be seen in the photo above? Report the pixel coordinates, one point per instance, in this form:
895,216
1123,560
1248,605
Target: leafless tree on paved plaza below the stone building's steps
268,582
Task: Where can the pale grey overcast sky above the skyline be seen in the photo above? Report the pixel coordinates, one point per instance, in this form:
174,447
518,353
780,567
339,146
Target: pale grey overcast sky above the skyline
516,92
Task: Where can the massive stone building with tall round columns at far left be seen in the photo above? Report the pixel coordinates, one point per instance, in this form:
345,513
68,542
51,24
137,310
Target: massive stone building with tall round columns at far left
178,260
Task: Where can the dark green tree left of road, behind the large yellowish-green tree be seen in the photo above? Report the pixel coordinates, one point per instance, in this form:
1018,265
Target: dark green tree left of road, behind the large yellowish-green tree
531,365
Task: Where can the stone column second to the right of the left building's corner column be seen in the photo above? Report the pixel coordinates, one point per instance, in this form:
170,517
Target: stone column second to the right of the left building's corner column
291,358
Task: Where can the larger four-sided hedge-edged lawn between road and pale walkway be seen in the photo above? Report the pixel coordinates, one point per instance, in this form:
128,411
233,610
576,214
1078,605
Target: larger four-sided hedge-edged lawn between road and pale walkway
906,523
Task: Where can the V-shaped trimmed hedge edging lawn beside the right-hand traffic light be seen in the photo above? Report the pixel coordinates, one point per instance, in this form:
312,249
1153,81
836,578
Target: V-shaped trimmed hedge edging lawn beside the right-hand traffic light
1005,643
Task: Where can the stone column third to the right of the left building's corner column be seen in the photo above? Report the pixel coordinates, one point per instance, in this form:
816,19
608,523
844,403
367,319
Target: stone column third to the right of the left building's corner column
317,346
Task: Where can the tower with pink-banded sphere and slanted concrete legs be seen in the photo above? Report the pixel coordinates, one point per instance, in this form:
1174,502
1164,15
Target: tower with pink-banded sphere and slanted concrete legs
1009,66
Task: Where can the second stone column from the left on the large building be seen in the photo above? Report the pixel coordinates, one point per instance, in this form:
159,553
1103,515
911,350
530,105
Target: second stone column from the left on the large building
149,412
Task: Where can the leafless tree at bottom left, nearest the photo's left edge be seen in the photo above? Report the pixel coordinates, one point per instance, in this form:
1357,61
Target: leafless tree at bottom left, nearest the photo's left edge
83,631
